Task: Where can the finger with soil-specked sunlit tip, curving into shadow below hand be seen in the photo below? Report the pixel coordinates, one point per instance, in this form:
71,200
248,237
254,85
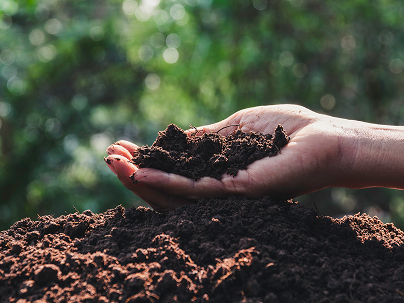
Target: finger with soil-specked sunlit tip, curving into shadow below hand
160,202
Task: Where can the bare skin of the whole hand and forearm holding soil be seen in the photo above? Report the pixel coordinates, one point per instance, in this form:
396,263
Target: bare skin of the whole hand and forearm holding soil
323,152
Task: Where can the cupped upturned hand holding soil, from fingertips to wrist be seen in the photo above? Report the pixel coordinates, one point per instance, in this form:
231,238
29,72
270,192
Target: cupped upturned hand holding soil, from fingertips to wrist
309,162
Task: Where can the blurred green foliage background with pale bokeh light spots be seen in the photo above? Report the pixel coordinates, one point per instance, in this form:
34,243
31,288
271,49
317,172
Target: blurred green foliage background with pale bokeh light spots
75,76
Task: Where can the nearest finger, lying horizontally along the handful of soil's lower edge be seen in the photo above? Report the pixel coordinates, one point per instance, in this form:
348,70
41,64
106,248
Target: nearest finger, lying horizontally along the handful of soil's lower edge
180,186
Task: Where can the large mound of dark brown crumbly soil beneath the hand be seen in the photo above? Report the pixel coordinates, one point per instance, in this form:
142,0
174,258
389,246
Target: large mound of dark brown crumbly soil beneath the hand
233,250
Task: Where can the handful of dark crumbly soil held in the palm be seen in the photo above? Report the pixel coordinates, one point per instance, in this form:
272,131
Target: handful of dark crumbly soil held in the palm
209,155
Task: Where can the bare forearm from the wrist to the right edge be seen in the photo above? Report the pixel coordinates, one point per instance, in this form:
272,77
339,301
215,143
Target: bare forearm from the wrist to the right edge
371,155
